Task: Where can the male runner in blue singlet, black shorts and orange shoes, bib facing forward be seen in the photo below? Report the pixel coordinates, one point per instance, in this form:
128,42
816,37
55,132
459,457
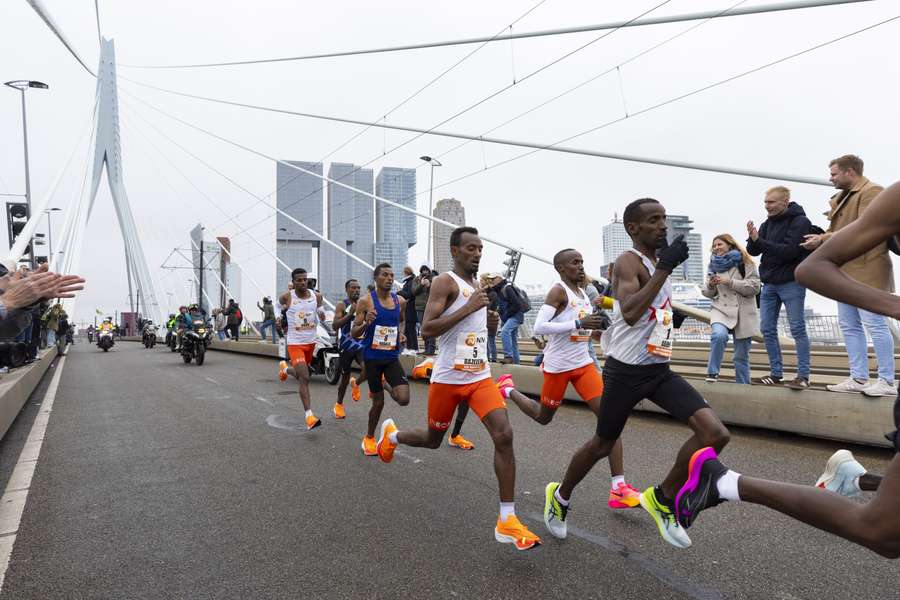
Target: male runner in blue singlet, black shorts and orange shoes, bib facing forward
379,322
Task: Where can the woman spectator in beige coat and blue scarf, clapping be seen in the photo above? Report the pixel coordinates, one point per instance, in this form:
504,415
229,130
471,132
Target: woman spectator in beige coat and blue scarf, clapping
732,285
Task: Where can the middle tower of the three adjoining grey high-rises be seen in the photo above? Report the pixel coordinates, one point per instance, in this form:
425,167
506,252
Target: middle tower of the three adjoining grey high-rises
351,225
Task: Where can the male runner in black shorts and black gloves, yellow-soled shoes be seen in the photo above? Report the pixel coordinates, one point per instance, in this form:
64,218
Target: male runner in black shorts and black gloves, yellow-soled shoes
638,348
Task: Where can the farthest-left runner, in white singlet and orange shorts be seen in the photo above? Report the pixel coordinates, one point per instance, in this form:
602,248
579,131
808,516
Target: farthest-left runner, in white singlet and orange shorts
303,310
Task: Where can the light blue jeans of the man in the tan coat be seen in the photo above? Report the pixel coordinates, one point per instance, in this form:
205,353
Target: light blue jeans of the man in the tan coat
852,320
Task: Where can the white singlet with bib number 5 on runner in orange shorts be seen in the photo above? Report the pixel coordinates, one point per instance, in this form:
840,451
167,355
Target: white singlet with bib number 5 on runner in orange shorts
462,350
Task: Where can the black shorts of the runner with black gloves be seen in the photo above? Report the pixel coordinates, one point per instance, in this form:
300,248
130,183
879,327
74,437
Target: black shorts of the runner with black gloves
625,385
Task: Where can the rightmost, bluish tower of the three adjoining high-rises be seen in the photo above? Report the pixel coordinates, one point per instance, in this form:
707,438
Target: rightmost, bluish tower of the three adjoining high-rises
395,229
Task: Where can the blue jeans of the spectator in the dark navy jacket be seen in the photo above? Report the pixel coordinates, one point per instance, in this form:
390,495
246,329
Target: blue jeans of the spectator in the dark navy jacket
793,296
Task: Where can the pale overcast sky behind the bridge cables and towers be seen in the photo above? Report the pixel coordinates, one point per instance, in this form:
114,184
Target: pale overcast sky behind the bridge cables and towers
791,118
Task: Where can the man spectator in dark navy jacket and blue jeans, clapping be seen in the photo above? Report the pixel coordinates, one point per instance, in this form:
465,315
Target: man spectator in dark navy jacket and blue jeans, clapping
778,240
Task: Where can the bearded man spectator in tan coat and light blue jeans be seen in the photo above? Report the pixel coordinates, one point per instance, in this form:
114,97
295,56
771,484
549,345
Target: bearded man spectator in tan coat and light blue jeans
872,268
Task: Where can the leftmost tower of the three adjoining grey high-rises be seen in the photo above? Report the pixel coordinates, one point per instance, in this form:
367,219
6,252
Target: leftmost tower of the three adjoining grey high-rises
299,195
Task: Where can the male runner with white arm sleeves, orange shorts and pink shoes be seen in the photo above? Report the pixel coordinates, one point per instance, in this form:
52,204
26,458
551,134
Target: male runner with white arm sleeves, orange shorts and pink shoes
568,320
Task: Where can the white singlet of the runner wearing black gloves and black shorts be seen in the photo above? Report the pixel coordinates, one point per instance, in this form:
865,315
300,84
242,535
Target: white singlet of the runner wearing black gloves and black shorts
650,339
